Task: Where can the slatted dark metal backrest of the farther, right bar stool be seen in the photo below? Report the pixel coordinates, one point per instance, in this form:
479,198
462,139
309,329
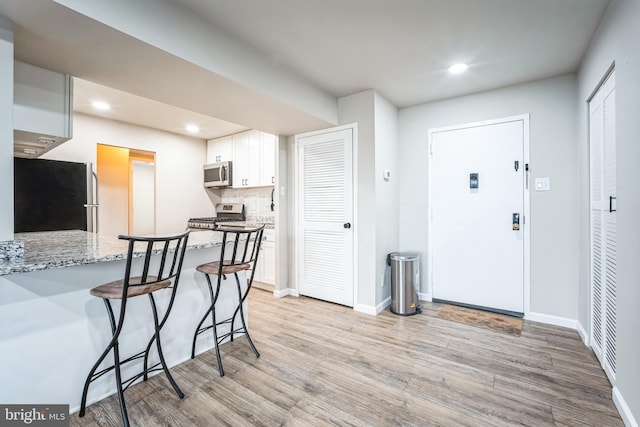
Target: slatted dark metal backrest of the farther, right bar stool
240,246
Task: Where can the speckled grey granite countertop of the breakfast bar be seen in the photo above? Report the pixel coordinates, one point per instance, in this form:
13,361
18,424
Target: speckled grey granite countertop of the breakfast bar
56,249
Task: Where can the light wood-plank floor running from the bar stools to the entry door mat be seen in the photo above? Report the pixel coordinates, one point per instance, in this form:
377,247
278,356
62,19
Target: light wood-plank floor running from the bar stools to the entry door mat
323,364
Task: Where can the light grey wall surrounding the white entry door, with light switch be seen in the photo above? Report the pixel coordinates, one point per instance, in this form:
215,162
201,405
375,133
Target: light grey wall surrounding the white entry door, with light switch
553,222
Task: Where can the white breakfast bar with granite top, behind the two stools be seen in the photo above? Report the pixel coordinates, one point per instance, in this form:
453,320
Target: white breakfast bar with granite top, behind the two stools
52,330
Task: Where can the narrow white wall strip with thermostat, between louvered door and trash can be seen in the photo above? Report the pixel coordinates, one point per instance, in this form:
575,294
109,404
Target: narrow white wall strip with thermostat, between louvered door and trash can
387,195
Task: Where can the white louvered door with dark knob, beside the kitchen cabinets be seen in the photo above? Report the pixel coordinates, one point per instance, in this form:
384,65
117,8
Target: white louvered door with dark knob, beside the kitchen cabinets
324,238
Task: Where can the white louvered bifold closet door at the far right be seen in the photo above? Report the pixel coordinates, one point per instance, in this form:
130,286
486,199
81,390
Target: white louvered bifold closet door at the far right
603,225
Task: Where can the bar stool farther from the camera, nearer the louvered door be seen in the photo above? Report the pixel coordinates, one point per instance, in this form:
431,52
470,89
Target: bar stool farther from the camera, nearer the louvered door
239,252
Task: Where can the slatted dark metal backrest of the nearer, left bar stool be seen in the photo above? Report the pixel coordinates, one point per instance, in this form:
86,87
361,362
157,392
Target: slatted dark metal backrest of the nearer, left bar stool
168,265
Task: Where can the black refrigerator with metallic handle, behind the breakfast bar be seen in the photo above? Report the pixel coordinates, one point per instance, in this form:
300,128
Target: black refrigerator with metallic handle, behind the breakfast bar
53,195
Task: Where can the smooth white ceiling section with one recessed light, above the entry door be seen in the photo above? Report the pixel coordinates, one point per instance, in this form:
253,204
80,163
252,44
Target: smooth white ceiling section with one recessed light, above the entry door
402,48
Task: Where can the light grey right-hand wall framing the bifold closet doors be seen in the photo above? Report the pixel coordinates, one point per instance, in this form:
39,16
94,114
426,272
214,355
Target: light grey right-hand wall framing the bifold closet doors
616,41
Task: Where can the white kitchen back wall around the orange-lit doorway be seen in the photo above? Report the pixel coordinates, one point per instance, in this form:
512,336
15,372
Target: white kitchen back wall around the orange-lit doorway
179,159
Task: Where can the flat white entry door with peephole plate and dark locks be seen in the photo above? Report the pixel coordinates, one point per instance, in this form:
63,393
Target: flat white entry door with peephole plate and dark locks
477,208
